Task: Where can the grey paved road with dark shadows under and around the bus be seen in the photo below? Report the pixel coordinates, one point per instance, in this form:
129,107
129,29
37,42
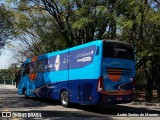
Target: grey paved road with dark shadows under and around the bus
52,110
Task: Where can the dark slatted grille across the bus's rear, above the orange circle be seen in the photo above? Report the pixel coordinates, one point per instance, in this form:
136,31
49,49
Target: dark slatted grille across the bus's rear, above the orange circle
119,71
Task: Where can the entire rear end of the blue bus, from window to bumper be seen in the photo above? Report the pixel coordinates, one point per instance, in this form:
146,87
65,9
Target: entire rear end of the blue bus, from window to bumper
118,71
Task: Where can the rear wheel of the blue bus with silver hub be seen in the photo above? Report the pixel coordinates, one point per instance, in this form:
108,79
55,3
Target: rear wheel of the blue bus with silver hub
64,99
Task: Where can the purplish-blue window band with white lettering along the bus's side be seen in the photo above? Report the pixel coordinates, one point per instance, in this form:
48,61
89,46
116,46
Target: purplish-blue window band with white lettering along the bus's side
76,59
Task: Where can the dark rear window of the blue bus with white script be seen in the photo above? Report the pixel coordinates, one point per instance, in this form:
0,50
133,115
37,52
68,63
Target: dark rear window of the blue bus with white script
119,50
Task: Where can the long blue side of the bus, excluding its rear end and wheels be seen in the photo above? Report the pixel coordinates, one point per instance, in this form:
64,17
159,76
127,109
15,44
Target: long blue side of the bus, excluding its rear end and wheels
73,65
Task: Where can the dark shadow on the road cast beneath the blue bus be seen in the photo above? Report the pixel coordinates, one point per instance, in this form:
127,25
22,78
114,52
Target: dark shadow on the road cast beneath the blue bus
103,109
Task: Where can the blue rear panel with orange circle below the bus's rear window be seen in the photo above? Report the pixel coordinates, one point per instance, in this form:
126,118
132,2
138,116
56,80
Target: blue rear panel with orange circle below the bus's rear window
124,69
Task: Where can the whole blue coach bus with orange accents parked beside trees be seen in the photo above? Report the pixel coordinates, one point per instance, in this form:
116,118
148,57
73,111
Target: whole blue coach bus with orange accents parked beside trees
98,72
